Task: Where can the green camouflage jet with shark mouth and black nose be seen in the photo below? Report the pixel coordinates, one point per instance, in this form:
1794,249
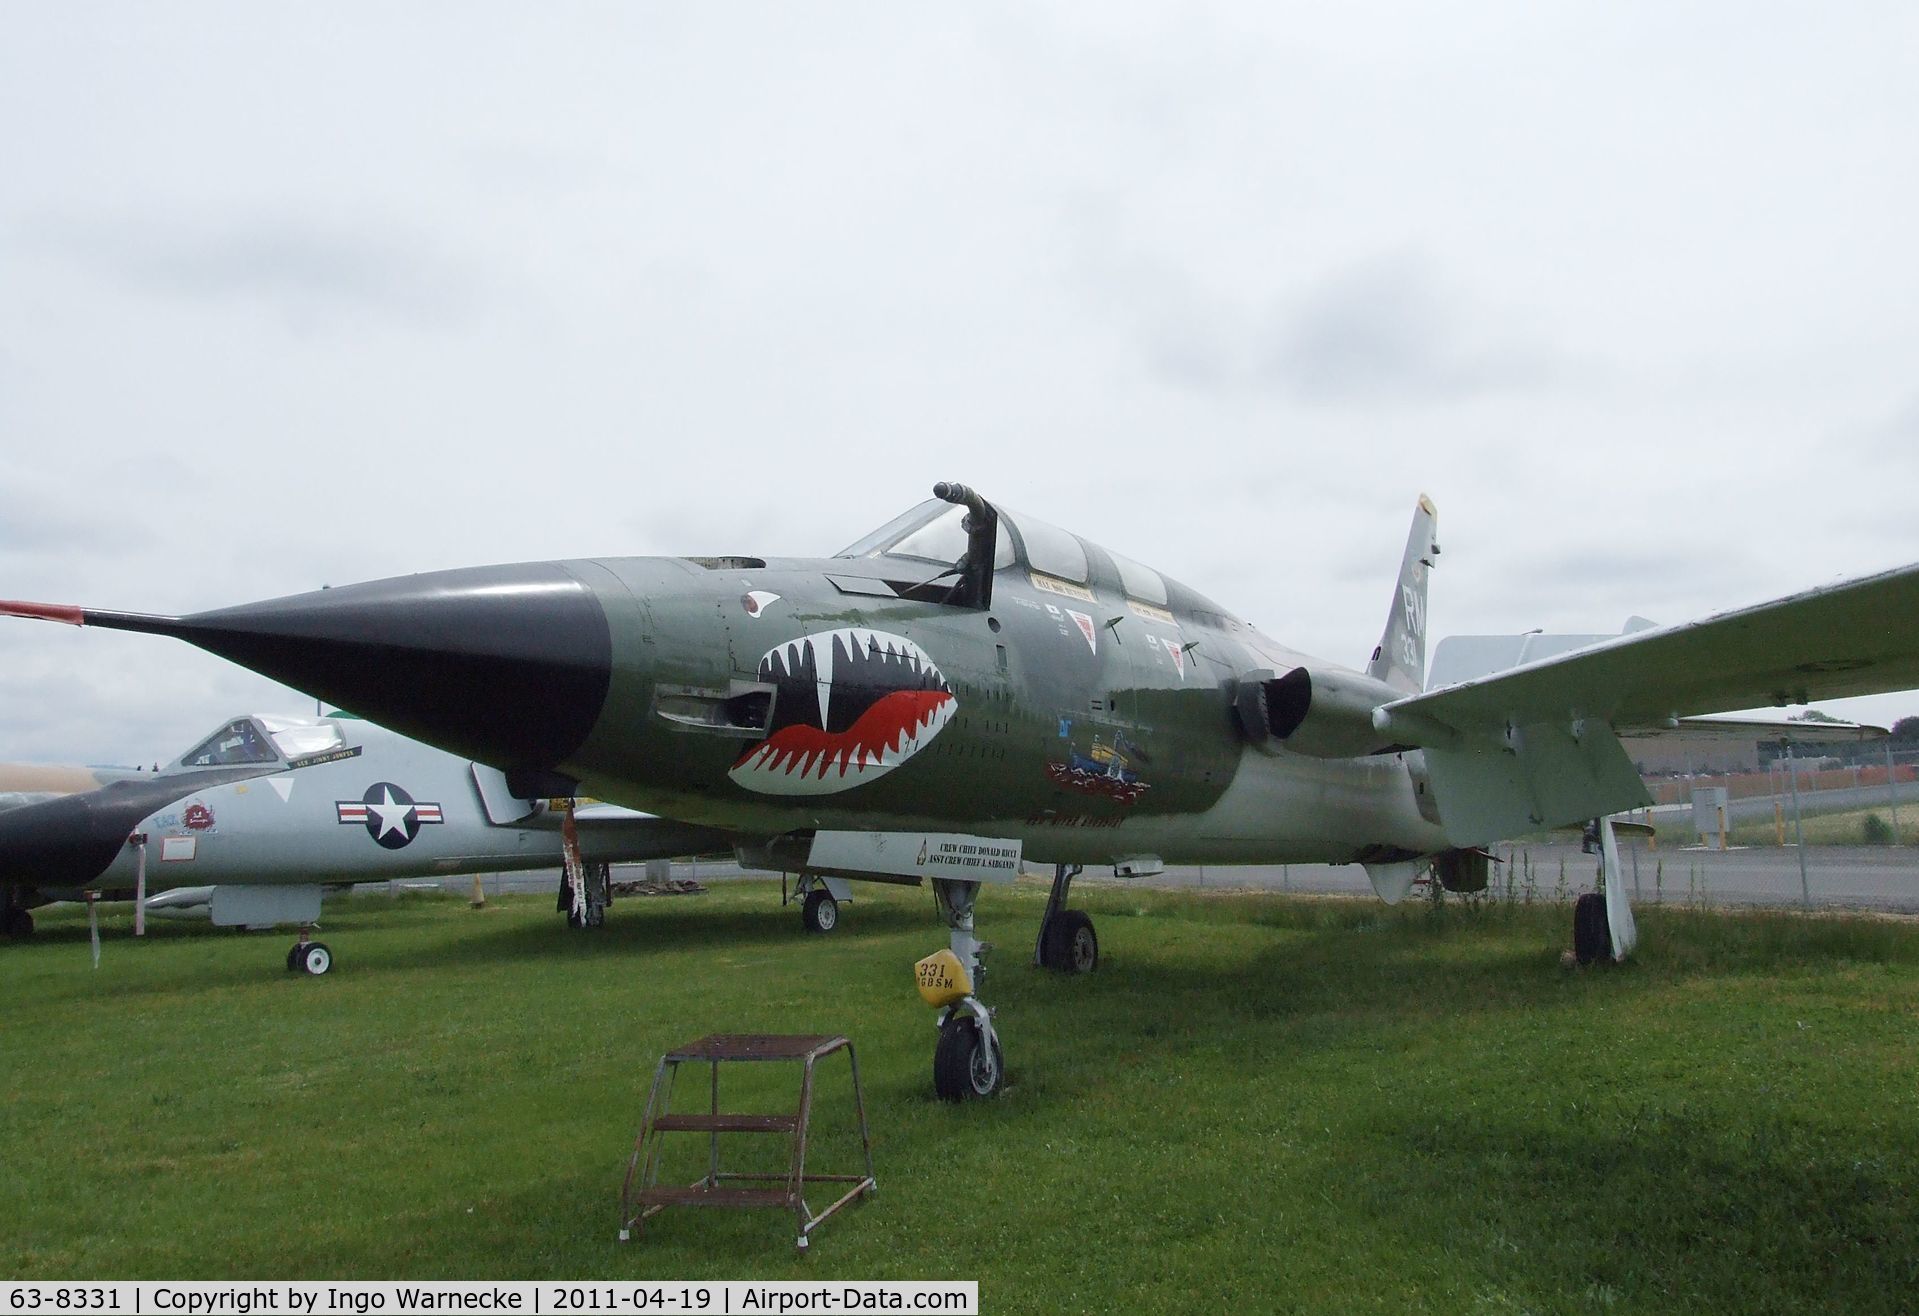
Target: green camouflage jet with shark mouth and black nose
968,688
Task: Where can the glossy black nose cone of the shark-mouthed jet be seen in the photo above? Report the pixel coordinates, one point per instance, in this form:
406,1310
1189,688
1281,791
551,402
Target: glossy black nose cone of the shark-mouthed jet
506,665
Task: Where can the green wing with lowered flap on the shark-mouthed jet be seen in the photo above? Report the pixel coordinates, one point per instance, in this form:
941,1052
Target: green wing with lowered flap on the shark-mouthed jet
1540,745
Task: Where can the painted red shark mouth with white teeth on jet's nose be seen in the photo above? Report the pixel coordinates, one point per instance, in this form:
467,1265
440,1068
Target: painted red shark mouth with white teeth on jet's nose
851,707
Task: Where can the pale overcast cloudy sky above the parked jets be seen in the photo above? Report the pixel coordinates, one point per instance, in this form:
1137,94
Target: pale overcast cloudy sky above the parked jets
314,294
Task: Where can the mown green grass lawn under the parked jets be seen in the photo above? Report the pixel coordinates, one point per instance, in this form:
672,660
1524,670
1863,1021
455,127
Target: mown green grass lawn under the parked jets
1269,1102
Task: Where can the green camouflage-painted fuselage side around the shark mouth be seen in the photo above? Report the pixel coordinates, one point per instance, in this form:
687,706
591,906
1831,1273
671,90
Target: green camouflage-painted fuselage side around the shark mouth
1030,690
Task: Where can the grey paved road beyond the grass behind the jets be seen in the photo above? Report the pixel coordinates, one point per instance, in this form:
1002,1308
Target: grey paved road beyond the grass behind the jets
1836,876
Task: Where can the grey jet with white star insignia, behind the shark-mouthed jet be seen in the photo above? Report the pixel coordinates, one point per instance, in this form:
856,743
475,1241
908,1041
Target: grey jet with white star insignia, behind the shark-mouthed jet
266,811
